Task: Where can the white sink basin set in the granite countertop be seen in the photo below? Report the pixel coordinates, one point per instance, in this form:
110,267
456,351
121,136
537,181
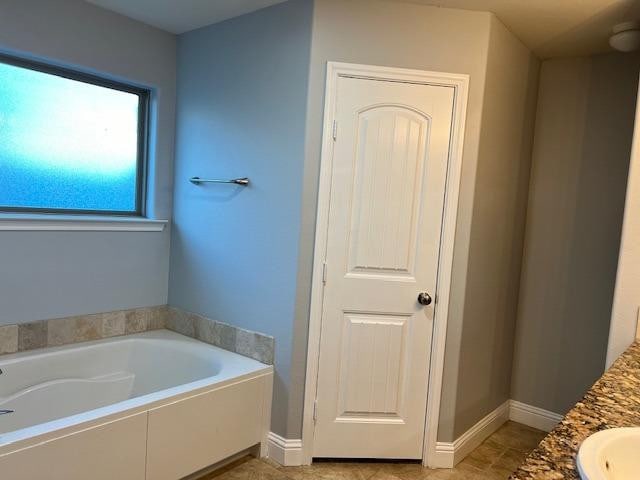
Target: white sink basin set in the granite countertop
610,455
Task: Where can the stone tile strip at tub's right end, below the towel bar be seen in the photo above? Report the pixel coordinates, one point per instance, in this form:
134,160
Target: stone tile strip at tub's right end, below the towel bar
254,345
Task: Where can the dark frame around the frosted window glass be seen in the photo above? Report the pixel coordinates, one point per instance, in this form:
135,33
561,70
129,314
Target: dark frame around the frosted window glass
142,156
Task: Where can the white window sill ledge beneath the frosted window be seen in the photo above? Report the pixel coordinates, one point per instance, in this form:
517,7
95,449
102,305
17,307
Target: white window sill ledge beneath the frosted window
78,223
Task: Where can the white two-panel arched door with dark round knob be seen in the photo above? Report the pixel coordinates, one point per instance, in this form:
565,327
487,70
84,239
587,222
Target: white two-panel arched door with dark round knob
387,194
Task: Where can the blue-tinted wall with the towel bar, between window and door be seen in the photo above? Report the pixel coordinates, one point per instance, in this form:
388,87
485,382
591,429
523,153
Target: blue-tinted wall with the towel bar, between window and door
242,93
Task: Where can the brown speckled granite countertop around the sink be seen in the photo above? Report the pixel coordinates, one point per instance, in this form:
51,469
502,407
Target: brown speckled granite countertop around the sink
613,401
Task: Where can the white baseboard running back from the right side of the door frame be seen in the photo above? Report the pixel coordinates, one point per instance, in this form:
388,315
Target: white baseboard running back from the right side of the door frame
449,454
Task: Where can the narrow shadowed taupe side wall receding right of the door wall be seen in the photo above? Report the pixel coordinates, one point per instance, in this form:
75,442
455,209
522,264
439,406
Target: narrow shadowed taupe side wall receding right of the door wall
497,231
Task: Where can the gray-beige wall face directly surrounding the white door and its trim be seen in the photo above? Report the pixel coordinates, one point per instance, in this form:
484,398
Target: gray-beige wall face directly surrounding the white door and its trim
415,36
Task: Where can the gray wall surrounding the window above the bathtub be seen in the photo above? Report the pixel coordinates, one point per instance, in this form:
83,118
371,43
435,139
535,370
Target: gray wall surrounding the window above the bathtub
53,274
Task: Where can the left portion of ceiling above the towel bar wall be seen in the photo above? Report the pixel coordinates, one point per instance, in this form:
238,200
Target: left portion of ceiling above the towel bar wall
179,16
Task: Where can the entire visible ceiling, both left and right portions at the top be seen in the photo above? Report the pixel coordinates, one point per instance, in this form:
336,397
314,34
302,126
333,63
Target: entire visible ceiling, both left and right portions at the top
551,28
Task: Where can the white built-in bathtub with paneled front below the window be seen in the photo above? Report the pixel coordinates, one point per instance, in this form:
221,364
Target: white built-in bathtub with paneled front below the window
155,405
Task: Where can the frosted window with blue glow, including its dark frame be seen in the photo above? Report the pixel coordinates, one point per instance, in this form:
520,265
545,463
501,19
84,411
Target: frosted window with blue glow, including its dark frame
69,142
